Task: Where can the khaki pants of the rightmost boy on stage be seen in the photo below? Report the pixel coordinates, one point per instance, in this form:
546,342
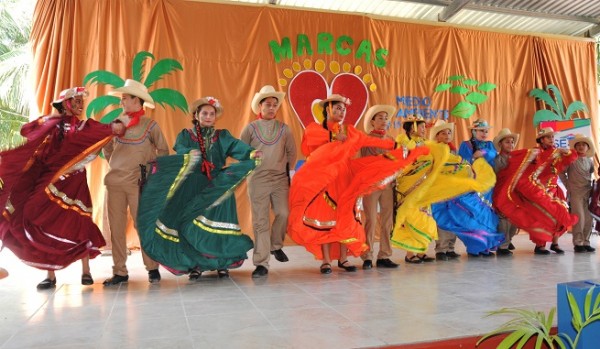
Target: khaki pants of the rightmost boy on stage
579,201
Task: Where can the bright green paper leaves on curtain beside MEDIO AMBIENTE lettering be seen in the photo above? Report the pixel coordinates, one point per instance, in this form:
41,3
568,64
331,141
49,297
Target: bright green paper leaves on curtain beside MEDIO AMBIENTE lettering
473,94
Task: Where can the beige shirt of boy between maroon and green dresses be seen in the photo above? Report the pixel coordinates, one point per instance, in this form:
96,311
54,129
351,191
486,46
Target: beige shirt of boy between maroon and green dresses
141,144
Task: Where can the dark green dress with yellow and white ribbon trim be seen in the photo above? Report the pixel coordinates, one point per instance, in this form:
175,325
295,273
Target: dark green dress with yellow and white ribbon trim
187,220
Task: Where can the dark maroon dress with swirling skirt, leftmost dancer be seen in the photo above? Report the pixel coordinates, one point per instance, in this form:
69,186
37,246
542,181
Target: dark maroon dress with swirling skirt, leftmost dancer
46,217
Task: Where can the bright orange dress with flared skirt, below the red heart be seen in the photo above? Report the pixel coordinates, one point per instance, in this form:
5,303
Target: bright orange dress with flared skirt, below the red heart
325,190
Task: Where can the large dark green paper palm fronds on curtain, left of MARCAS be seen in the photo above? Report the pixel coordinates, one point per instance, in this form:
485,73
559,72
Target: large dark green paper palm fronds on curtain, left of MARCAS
162,96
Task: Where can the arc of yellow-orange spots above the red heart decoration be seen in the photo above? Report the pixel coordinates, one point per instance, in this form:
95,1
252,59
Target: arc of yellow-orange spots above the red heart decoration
320,66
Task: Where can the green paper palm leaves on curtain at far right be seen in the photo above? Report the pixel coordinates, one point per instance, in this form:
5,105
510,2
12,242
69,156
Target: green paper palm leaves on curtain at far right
557,107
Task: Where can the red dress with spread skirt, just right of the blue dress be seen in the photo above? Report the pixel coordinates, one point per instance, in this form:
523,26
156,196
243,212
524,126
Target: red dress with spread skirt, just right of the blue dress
527,193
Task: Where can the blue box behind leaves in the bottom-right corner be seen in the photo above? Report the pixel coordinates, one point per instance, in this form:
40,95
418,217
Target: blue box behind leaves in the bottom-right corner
590,336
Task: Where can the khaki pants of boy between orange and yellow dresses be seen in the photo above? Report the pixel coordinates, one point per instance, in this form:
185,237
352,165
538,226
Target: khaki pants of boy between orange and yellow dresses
385,198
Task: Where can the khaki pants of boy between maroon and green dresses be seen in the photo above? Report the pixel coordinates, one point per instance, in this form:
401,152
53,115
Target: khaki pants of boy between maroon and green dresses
118,199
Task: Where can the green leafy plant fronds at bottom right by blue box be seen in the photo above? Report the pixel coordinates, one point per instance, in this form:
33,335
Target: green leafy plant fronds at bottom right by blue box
528,324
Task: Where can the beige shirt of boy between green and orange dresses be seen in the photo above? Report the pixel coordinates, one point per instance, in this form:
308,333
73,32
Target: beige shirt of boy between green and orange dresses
275,140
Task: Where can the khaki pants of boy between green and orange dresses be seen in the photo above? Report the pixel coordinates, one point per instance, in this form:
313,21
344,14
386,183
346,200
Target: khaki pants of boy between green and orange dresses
267,194
